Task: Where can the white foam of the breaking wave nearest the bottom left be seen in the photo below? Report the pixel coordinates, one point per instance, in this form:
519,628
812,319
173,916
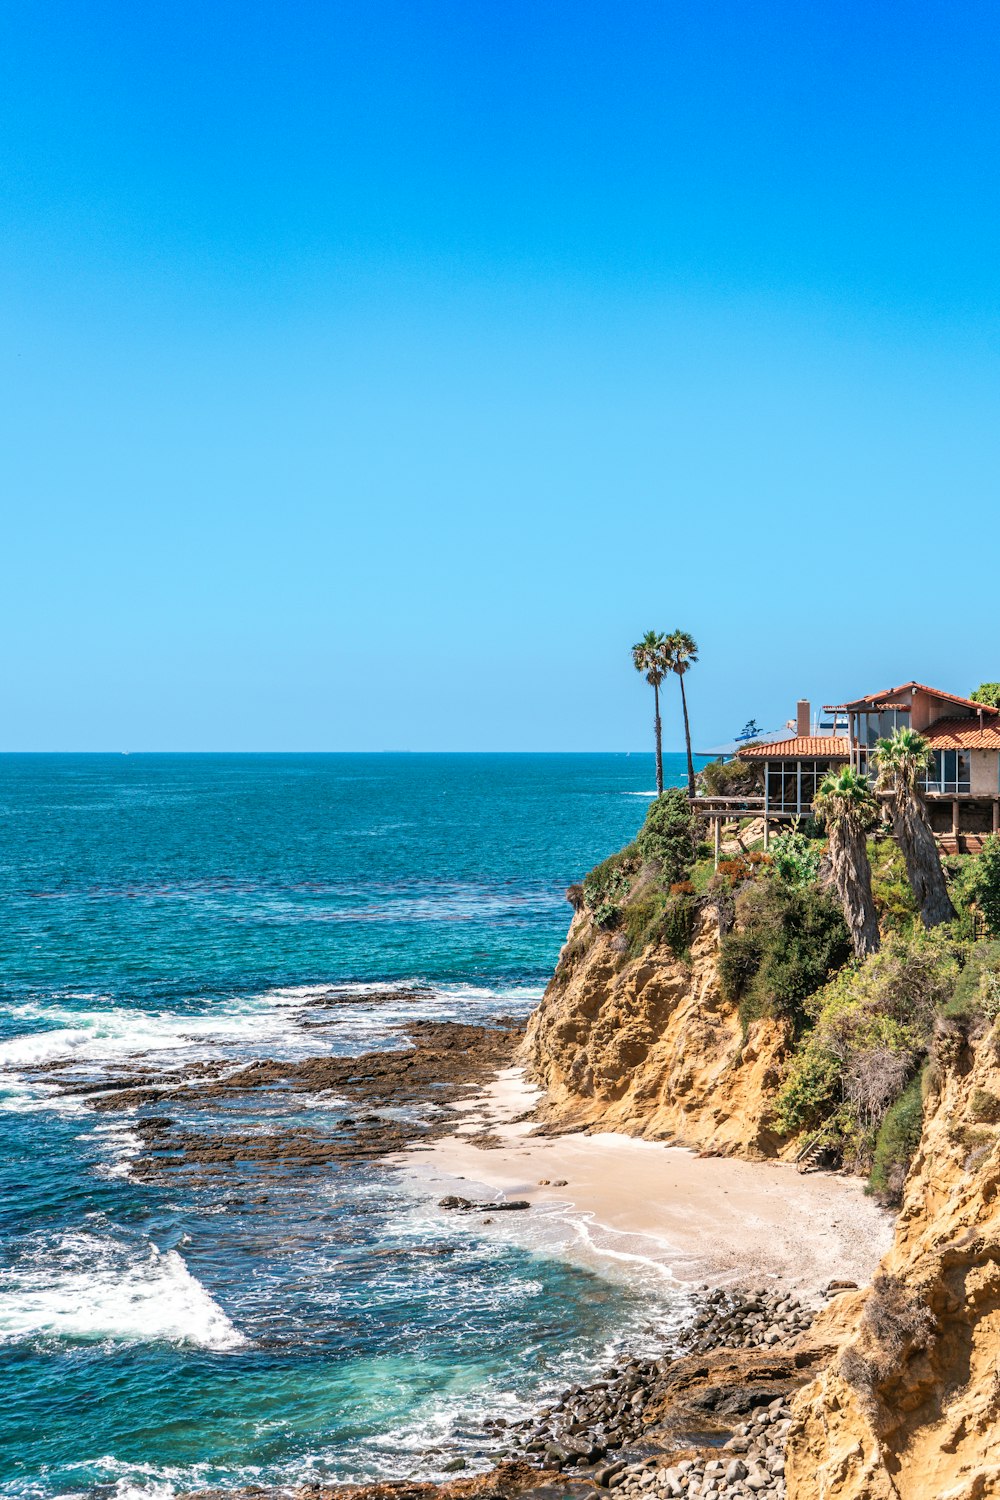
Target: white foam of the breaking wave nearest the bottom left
89,1289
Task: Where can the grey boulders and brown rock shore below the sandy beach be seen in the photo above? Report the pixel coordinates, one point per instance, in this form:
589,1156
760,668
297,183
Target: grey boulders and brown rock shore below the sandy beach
707,1420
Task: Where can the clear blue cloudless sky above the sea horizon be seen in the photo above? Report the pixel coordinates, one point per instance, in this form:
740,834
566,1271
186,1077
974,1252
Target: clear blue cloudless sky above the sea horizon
373,376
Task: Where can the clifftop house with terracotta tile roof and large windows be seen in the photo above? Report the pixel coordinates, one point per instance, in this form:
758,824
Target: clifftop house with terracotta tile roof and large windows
962,790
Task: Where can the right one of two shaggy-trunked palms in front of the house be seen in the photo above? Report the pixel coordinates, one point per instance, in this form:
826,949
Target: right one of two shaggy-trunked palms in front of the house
902,763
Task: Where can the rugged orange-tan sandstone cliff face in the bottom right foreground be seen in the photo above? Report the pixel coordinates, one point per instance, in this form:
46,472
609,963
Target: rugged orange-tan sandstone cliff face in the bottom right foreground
911,1408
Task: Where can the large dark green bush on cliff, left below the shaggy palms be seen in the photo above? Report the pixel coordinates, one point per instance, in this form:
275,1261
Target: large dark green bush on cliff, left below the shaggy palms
783,949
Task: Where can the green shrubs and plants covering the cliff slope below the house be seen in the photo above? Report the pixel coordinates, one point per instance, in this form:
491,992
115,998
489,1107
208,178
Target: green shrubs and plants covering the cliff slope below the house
858,1022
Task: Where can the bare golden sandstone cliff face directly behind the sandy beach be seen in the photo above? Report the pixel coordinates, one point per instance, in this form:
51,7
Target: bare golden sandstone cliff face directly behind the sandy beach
648,1046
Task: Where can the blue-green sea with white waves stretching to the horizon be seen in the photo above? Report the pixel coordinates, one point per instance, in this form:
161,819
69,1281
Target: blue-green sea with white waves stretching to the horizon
179,910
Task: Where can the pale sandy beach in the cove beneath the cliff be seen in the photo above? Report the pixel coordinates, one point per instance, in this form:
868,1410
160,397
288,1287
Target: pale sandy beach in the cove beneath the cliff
621,1205
